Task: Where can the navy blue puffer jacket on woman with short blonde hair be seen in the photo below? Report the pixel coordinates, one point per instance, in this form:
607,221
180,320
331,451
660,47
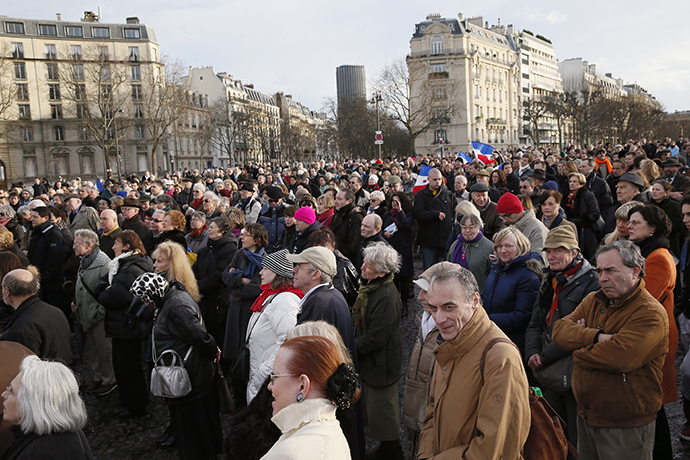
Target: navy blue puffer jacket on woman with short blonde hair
510,293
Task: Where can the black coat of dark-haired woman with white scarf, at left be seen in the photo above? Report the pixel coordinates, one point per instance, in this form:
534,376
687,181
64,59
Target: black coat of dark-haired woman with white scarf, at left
115,296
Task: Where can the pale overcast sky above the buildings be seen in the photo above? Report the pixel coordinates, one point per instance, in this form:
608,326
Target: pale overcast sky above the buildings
295,46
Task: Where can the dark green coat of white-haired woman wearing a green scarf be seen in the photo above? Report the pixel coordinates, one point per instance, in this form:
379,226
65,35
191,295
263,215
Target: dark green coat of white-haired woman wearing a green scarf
379,345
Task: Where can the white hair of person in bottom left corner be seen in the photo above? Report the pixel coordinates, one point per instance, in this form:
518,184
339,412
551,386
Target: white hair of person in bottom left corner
48,398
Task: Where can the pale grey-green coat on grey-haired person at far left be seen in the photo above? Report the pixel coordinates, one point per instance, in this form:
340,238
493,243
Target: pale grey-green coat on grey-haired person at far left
89,311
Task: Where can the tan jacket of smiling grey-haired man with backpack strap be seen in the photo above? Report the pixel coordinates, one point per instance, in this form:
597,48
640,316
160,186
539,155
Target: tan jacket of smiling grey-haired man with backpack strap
466,419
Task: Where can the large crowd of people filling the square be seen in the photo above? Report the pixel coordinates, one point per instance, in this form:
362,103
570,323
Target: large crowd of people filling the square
287,284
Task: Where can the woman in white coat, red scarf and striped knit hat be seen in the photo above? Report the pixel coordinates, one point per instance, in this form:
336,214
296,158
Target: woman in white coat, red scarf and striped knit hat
274,314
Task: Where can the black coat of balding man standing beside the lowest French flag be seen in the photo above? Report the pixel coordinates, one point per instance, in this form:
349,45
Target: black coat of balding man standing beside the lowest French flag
434,232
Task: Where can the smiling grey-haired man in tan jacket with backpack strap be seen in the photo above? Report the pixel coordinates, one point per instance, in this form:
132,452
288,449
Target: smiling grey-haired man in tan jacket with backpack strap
473,412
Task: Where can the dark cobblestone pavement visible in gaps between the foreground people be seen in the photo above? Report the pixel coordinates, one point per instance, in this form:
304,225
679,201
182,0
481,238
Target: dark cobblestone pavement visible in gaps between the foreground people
112,438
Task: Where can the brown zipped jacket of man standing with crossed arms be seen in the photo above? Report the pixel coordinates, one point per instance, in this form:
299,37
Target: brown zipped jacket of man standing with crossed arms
617,383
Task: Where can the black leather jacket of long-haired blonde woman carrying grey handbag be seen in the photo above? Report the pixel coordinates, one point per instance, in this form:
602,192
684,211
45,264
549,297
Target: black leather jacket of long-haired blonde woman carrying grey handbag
177,327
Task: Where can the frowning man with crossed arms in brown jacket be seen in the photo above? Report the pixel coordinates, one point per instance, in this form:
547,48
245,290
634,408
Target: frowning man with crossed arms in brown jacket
619,338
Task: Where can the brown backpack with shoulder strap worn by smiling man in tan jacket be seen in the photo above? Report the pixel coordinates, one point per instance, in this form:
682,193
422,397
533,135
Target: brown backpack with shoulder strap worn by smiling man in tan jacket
546,439
